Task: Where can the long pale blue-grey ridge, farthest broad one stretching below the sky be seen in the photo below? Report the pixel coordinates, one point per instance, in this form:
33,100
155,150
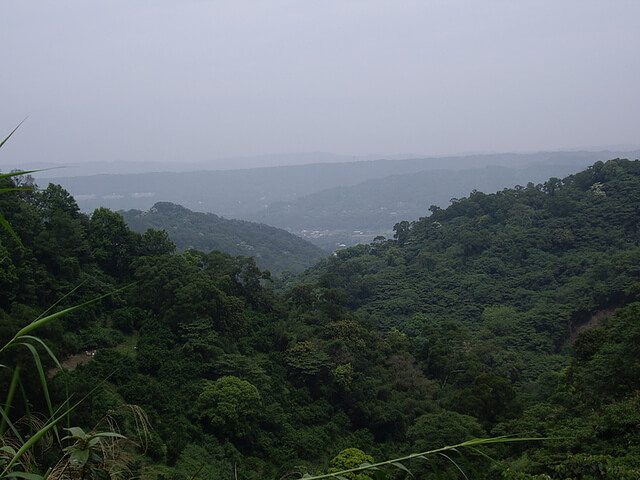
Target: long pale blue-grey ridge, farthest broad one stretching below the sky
243,193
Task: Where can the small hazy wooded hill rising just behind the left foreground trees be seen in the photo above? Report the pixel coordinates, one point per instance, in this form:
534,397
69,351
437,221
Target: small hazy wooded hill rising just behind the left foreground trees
272,248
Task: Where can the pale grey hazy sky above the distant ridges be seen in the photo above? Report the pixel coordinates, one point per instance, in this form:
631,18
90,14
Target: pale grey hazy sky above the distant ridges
194,80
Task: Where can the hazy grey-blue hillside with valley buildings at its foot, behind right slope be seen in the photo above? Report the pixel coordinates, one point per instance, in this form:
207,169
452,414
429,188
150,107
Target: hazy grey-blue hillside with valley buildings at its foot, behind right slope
359,213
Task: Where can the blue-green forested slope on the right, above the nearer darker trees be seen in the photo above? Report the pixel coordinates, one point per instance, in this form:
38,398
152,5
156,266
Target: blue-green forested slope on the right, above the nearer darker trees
553,253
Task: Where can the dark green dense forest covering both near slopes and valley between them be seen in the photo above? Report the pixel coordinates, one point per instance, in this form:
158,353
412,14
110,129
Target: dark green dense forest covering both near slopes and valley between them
505,313
